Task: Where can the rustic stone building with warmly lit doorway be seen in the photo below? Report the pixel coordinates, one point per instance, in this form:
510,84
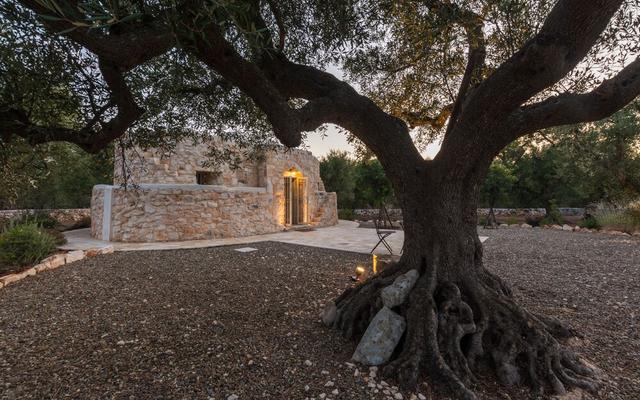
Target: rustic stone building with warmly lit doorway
179,197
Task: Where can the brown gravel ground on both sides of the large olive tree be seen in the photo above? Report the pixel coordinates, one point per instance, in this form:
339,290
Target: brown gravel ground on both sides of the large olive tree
212,323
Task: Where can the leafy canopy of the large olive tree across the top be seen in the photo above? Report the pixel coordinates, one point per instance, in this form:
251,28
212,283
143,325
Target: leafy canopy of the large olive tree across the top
147,69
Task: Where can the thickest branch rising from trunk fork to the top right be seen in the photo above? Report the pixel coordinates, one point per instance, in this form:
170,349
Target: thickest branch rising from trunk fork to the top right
568,33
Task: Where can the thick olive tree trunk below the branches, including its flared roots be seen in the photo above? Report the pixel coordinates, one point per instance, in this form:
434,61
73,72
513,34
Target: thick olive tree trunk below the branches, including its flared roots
461,319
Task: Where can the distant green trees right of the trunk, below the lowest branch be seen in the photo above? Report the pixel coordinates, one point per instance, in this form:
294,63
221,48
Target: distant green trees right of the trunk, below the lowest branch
570,166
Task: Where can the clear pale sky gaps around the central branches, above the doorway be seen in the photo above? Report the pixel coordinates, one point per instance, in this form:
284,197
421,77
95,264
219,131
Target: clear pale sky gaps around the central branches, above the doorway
331,139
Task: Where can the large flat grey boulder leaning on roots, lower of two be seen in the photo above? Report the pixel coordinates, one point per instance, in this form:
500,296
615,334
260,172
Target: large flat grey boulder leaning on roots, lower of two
381,338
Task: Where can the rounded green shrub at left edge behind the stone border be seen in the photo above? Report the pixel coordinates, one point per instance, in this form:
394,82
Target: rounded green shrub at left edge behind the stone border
23,245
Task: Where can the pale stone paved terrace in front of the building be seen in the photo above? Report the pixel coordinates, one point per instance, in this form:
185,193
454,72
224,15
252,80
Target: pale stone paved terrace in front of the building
344,236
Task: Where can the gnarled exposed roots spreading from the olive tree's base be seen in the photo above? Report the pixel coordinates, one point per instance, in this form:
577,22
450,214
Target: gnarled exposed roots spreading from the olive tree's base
457,331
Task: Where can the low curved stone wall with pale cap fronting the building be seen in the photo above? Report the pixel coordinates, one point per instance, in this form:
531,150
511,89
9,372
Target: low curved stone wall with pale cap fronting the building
185,212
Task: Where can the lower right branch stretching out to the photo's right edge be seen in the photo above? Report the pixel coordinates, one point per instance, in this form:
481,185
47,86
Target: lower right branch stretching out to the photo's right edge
571,108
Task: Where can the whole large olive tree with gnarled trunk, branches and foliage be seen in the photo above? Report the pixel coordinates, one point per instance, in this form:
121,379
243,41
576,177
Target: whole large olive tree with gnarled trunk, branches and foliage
477,74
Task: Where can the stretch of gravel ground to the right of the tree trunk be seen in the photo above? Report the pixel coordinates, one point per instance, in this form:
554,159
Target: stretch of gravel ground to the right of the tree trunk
591,281
